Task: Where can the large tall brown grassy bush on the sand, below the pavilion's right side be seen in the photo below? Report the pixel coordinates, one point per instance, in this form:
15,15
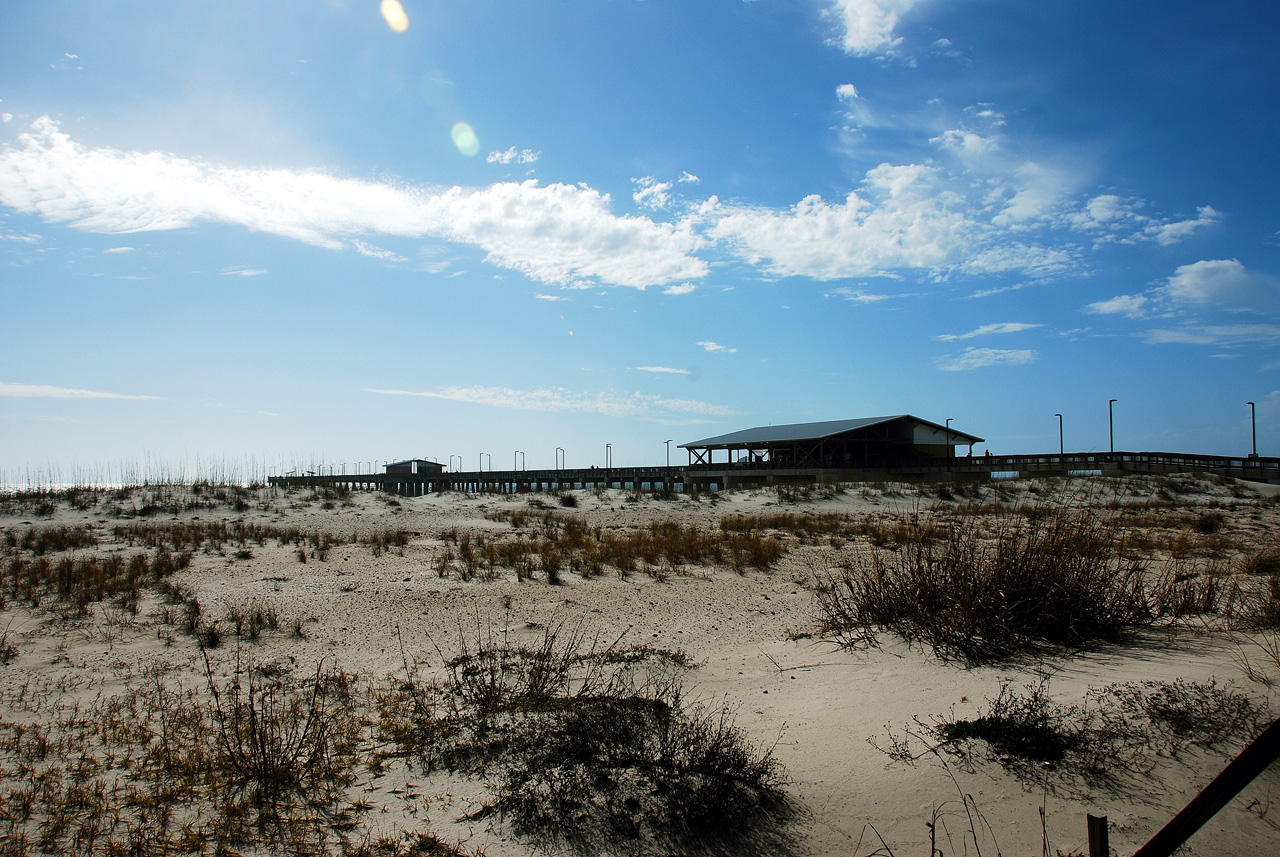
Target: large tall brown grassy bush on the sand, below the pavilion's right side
982,597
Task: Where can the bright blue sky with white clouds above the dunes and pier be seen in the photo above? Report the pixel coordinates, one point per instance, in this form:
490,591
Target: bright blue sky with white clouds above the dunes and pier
349,231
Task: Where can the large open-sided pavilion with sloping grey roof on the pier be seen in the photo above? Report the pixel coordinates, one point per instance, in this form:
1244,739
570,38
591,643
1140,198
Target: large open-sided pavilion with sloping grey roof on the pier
865,443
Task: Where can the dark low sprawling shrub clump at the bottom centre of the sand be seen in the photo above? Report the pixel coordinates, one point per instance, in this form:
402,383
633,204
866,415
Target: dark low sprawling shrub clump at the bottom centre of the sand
592,746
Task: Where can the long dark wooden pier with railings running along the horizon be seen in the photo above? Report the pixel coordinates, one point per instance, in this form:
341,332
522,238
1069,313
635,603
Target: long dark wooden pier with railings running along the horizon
717,478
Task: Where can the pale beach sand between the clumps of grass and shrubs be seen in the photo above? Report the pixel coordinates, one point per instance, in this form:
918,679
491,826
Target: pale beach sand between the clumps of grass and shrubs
755,639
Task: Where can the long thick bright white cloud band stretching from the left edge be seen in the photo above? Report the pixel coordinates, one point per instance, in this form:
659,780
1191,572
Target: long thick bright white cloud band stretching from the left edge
555,233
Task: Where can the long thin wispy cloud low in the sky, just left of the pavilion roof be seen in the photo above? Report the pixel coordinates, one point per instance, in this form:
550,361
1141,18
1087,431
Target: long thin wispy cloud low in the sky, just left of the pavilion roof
559,400
